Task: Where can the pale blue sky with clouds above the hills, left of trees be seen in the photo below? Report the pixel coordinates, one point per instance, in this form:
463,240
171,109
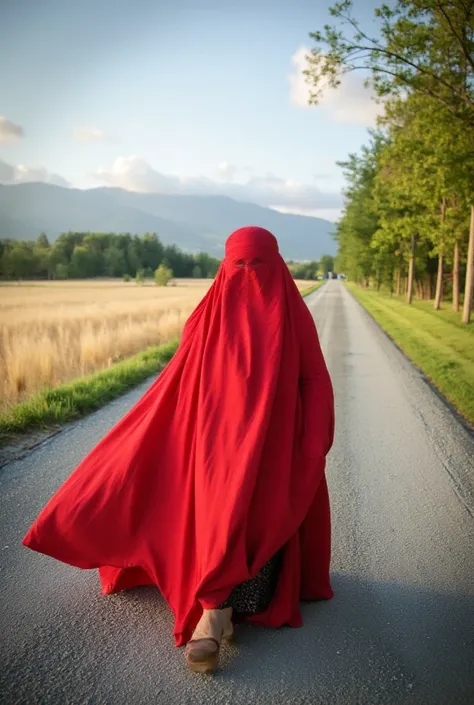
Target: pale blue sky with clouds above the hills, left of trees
178,96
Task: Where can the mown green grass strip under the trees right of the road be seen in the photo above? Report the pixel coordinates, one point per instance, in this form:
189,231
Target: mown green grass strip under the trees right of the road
436,341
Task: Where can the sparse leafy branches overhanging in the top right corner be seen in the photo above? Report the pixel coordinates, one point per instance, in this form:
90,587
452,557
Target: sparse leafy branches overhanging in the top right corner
423,46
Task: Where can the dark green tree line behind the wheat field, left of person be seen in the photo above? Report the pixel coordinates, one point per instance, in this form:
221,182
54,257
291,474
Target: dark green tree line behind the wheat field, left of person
86,255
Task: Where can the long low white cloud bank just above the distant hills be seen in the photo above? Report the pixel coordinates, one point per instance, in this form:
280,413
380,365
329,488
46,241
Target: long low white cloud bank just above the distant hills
135,174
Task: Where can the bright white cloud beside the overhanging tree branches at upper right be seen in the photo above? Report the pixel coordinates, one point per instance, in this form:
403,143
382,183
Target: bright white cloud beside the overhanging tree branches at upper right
351,102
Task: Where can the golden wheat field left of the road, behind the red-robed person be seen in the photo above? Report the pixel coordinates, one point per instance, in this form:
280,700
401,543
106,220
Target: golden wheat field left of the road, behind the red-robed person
52,332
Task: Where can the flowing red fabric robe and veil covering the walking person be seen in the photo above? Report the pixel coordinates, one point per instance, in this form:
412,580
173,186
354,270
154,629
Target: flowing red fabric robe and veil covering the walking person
220,464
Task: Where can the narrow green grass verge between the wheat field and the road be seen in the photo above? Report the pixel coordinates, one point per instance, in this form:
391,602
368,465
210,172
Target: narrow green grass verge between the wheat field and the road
55,407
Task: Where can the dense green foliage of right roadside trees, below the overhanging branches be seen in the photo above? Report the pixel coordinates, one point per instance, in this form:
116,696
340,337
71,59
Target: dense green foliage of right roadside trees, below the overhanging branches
408,194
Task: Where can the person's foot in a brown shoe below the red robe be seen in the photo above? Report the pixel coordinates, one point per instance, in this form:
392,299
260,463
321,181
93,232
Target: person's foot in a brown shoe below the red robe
202,652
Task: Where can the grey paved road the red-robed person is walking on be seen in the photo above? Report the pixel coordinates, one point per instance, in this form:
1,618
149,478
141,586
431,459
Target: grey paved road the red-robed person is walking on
400,629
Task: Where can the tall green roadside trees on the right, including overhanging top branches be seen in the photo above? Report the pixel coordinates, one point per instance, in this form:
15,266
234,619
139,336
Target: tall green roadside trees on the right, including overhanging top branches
409,215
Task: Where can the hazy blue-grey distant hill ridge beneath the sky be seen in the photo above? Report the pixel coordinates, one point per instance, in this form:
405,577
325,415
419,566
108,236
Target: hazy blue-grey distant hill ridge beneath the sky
194,223
